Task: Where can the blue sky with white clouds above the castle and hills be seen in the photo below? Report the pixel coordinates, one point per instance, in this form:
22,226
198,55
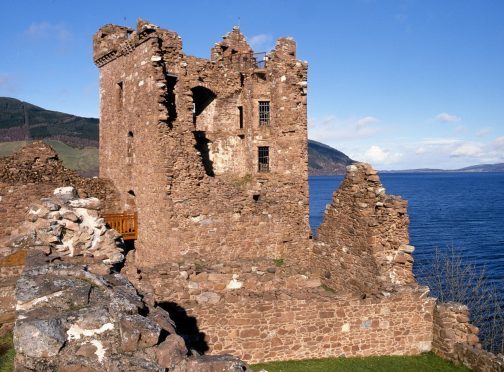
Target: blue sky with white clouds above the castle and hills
398,83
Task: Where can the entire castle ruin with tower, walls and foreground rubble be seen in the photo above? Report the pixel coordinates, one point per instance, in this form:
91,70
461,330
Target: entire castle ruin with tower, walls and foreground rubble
212,157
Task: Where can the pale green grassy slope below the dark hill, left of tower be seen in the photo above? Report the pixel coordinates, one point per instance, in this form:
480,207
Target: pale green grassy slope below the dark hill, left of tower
74,158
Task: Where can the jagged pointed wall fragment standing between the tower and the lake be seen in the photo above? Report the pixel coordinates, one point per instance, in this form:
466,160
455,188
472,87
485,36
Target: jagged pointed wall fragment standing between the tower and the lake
367,229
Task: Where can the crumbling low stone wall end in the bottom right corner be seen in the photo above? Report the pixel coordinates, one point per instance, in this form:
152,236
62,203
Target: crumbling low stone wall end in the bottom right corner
455,339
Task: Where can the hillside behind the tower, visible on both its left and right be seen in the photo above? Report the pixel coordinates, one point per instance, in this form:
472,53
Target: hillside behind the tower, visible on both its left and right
76,138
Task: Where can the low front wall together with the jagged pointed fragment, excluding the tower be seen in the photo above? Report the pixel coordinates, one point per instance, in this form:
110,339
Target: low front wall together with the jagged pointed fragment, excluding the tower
337,303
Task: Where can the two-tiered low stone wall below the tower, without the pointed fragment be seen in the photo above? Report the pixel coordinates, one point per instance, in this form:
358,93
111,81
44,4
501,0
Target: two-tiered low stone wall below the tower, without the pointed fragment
275,312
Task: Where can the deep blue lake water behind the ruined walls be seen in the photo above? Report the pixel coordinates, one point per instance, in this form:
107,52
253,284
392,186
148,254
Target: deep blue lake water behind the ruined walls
460,210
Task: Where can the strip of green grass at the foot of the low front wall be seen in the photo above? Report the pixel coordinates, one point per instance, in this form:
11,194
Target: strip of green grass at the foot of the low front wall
424,362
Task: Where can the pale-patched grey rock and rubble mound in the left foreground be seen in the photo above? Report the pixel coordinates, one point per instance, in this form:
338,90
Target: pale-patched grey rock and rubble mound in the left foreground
74,312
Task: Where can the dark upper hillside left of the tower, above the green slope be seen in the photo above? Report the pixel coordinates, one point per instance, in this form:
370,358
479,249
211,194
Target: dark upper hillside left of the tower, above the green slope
21,121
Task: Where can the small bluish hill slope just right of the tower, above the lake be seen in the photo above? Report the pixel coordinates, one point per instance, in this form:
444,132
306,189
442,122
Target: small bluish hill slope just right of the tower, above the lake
324,160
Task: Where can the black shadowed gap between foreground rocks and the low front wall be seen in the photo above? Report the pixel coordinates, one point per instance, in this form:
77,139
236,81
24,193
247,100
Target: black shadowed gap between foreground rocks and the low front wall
187,327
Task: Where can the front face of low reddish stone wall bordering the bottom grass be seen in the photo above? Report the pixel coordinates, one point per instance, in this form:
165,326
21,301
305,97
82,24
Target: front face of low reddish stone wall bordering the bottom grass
285,326
